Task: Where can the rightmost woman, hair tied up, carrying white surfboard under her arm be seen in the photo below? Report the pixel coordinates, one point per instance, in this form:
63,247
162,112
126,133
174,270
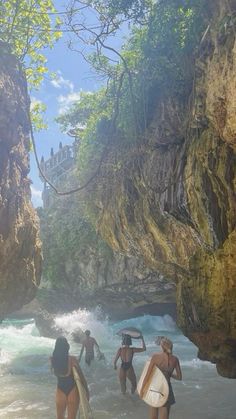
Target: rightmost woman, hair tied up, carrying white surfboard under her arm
170,367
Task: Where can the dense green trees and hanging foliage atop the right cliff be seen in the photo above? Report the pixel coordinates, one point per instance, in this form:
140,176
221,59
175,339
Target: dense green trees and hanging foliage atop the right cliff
156,59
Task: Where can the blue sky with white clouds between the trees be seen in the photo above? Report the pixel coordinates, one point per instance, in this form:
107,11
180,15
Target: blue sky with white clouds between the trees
73,76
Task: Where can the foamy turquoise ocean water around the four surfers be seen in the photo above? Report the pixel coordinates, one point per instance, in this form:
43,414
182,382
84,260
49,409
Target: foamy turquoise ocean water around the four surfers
28,387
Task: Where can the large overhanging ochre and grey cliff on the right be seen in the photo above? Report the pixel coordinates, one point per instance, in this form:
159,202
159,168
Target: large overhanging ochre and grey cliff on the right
172,203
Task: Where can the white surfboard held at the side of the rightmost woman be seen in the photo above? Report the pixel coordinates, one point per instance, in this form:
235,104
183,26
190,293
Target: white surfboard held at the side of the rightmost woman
157,388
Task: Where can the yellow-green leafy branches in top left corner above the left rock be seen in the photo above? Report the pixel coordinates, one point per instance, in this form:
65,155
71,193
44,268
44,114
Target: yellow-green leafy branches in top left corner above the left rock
29,26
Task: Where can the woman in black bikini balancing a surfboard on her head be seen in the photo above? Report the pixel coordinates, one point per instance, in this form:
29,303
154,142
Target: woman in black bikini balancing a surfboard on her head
125,353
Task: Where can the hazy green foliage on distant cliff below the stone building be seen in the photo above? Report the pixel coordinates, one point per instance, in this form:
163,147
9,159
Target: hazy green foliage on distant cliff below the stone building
67,236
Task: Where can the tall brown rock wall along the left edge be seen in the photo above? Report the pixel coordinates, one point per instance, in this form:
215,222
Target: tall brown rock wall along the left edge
20,256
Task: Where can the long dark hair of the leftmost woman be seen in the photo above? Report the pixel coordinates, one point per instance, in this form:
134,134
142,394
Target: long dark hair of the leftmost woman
60,356
